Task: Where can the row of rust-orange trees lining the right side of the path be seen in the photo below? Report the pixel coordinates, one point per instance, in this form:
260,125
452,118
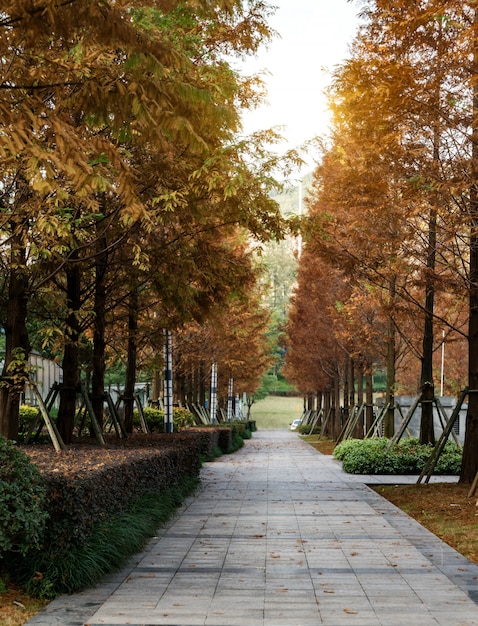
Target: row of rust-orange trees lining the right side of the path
390,262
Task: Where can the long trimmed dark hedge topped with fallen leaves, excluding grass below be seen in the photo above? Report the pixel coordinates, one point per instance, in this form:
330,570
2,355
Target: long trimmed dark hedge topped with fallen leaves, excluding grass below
79,492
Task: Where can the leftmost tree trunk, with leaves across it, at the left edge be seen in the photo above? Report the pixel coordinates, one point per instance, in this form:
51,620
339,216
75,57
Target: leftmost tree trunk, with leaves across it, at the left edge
17,346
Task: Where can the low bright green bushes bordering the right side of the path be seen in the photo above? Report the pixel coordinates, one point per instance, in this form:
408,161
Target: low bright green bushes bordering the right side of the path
370,456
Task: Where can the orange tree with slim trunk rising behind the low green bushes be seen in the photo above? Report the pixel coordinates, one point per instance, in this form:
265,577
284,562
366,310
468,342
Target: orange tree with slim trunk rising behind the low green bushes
355,217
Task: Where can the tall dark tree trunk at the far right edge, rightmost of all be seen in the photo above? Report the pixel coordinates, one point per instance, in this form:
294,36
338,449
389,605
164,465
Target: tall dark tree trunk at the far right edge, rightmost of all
469,467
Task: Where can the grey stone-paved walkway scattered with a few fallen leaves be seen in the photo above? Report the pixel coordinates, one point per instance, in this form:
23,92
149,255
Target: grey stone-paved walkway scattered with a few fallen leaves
279,536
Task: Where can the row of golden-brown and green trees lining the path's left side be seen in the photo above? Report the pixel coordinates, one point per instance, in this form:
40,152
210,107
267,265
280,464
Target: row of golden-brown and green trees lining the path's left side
129,196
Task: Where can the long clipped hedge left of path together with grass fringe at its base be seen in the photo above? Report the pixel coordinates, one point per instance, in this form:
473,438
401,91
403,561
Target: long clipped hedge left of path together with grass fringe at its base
103,499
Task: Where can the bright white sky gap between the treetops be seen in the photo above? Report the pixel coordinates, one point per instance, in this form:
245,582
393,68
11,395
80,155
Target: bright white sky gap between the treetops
314,37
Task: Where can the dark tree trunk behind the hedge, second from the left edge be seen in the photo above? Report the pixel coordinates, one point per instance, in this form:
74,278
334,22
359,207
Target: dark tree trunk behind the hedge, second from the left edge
70,365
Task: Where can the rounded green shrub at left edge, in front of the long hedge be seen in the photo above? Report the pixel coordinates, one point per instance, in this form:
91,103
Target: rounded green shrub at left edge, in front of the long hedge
23,513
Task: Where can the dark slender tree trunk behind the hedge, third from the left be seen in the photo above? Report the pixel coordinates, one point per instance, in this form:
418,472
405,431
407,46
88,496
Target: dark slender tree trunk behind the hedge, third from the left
99,343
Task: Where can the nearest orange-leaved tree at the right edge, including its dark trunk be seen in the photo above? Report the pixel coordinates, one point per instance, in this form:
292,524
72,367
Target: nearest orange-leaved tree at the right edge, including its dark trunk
438,103
